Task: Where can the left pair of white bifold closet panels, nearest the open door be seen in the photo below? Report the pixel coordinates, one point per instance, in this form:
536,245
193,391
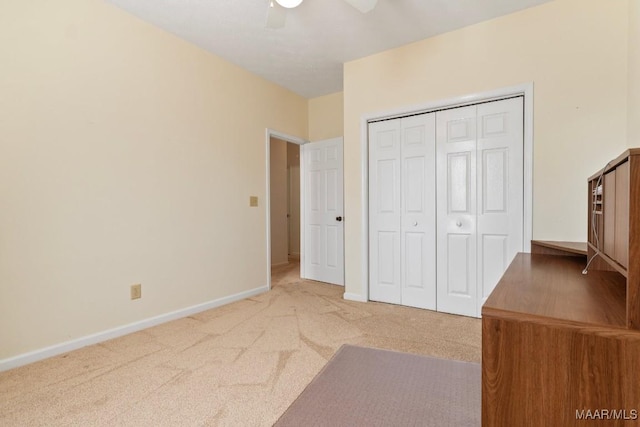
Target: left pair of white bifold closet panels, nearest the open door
402,212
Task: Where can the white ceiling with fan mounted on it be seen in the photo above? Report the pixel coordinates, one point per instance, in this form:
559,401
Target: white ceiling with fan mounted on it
306,56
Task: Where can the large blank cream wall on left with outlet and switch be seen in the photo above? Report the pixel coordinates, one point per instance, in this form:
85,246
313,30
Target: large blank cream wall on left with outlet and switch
126,156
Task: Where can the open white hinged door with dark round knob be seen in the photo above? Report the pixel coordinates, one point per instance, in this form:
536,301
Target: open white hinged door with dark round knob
323,254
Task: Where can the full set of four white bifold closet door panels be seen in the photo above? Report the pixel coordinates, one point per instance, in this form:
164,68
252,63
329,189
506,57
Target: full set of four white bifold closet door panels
446,205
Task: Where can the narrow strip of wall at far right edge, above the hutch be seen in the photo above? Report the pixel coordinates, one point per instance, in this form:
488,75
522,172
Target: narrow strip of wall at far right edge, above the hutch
633,128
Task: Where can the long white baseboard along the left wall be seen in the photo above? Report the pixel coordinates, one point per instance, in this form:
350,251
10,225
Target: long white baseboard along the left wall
65,347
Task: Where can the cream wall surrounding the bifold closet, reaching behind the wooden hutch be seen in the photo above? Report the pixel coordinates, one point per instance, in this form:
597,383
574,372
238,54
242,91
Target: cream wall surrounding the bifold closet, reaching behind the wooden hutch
575,53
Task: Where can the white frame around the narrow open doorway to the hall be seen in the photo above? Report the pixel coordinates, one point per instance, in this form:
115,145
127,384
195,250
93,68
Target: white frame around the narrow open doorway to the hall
269,133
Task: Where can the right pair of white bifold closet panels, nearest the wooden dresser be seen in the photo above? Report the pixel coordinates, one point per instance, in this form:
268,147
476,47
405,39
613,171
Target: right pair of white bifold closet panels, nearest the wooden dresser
479,200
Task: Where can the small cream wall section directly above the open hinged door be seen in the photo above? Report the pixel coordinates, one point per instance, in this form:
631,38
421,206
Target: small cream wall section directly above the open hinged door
326,117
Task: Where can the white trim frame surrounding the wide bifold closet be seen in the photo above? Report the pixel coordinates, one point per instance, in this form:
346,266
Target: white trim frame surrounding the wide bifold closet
525,89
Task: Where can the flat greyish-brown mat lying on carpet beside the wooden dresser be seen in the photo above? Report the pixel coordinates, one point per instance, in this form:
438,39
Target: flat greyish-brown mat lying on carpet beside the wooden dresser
380,388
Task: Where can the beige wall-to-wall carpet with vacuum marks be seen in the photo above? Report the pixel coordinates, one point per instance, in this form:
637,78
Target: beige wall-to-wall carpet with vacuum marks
238,365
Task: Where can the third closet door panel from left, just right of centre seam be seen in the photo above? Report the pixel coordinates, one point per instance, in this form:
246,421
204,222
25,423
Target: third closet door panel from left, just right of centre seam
456,210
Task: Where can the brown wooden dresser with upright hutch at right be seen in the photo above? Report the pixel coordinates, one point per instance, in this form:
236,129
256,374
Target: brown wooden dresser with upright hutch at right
561,348
